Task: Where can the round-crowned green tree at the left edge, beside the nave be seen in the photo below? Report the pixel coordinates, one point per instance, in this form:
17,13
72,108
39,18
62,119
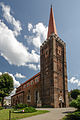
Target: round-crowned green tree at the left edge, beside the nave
6,86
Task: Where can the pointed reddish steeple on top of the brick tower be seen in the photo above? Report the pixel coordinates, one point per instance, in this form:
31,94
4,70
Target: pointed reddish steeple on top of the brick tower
52,25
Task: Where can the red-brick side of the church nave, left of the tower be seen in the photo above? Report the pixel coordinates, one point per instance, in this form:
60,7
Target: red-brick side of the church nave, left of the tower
28,88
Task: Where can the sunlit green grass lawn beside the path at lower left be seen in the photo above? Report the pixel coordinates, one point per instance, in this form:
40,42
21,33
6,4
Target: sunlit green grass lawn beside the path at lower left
4,114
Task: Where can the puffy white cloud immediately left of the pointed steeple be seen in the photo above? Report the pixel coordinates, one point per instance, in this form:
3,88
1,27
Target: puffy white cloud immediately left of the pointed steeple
39,34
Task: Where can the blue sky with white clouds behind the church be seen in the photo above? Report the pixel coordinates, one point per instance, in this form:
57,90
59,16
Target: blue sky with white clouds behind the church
23,27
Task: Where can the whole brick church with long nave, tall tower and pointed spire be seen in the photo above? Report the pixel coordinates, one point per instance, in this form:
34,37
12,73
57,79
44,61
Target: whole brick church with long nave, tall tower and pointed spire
49,86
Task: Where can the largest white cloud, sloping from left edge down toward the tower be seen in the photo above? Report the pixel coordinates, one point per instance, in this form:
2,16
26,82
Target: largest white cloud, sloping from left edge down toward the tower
12,50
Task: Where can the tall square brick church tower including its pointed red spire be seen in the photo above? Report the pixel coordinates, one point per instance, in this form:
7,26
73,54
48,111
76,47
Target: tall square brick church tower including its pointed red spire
54,91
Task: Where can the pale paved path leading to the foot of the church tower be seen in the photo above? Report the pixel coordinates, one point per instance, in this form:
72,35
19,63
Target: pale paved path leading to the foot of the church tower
54,114
